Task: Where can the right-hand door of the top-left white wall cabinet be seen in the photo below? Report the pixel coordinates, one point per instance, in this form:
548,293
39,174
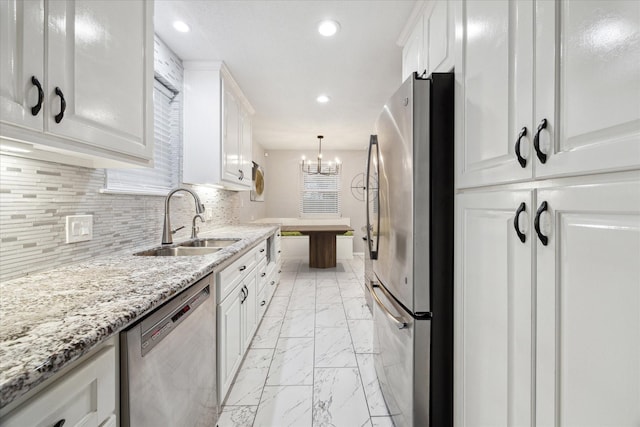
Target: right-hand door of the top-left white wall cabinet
100,56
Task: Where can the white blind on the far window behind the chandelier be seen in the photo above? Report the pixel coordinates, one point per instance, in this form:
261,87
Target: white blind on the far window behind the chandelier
319,195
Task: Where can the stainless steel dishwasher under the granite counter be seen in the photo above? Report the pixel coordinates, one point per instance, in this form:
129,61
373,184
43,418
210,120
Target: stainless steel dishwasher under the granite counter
168,363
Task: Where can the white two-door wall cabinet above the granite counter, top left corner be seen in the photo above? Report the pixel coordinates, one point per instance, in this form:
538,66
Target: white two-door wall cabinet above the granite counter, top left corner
94,62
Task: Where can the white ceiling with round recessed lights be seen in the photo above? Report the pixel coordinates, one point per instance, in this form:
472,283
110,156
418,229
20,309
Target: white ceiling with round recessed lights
282,63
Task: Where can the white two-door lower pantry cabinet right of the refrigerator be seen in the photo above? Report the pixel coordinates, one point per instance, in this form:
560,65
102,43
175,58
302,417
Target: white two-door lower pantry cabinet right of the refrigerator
548,330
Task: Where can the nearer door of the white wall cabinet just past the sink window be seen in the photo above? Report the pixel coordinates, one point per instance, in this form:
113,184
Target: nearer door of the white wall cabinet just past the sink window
231,156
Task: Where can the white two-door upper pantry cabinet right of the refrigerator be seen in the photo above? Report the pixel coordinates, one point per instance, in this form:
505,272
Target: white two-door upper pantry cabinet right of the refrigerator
585,69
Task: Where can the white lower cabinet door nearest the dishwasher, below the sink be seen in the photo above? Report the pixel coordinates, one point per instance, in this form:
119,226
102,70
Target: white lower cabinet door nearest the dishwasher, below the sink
229,340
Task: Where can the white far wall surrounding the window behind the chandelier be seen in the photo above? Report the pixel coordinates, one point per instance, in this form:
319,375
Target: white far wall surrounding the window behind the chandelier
282,176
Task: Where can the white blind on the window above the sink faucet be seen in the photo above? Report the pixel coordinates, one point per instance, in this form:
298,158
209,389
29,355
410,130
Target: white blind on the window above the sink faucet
166,151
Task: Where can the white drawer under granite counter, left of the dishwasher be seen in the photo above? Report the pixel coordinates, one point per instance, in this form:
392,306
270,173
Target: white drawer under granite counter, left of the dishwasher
85,397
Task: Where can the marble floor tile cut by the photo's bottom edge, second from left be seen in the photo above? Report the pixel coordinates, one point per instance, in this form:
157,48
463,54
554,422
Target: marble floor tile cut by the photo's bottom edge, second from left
285,406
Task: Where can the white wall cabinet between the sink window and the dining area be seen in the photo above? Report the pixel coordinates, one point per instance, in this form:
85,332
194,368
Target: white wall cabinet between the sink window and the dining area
217,128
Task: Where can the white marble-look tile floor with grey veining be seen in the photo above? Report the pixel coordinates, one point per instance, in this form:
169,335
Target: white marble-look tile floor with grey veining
310,363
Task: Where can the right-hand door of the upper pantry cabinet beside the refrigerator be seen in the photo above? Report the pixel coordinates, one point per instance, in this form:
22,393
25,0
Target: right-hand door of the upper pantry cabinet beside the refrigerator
587,71
